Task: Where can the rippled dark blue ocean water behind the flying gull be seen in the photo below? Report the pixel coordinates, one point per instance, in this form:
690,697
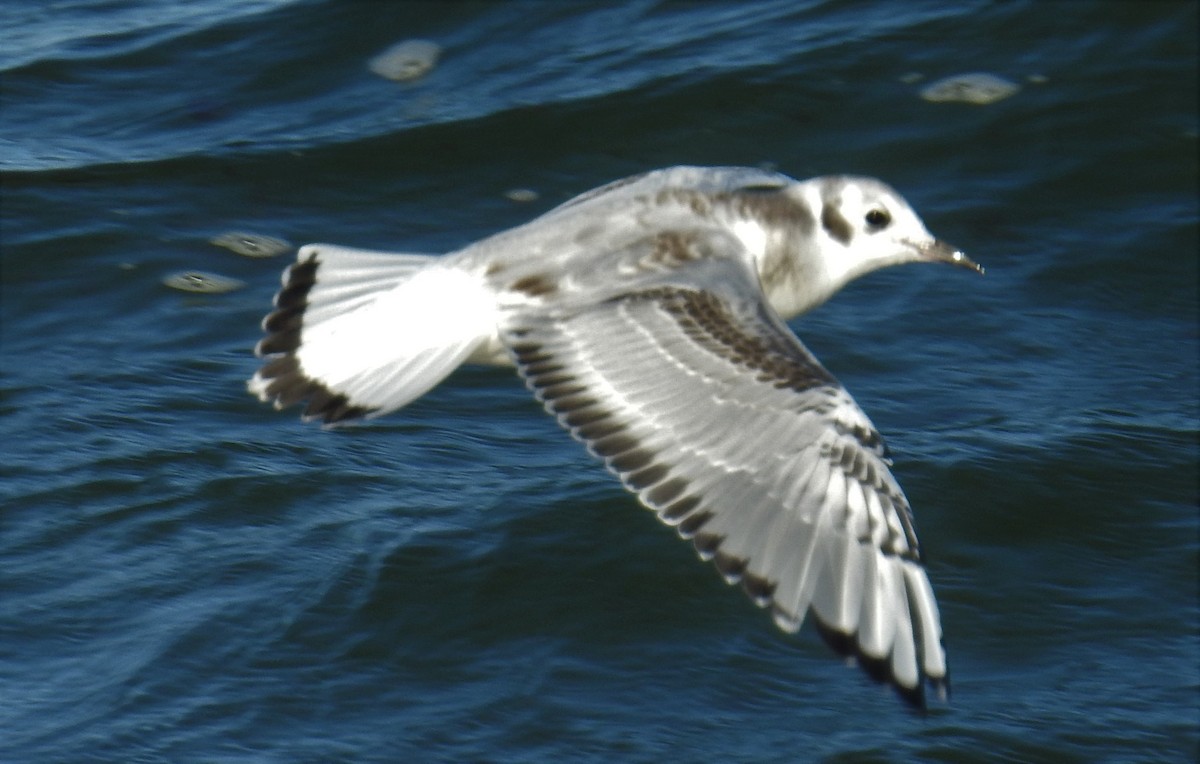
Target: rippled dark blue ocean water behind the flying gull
190,576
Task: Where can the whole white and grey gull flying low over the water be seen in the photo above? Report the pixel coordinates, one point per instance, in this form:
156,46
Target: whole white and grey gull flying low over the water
649,317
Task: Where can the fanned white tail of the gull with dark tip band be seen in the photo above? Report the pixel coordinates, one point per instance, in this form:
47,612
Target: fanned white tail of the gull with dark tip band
361,334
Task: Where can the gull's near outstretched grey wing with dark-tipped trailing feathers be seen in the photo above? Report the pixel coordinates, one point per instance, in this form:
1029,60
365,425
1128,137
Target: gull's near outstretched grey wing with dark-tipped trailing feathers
707,407
